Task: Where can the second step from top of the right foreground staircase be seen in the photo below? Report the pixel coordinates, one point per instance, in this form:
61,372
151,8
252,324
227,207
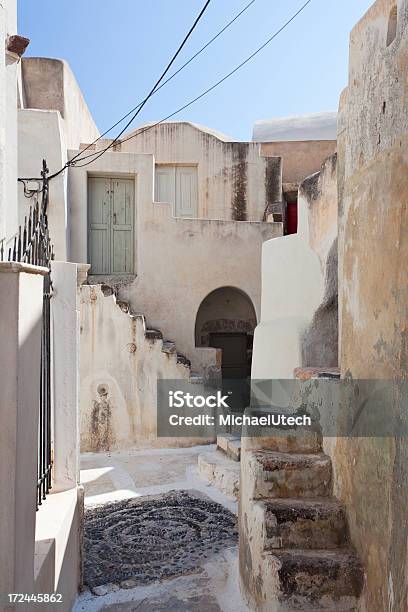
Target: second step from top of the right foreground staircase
284,475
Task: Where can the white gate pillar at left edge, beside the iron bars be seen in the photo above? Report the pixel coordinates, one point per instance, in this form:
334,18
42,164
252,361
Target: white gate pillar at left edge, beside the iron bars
20,331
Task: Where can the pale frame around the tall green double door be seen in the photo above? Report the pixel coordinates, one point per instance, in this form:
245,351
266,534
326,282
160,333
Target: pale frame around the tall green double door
114,176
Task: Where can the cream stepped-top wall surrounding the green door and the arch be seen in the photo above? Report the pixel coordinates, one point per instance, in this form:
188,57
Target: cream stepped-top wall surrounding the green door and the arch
178,261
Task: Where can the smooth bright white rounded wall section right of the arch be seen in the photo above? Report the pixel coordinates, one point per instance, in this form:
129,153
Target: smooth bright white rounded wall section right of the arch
292,289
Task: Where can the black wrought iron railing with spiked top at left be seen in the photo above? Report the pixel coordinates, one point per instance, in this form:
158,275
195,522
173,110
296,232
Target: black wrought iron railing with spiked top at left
32,245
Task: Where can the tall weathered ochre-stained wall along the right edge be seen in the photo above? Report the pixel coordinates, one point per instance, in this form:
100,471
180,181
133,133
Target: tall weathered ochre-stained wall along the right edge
371,473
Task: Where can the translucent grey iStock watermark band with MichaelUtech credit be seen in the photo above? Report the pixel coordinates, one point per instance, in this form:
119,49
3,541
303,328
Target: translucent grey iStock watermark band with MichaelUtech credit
325,407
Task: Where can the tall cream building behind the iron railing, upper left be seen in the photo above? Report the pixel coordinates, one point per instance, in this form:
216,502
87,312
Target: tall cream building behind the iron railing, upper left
55,117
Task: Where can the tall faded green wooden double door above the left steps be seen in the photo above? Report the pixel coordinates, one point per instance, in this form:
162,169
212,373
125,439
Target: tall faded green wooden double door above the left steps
111,225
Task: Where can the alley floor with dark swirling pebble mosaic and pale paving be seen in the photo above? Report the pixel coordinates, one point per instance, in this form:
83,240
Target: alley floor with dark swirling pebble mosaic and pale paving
157,536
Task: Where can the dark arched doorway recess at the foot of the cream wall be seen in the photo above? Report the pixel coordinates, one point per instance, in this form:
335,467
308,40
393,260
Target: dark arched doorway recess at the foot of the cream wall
226,320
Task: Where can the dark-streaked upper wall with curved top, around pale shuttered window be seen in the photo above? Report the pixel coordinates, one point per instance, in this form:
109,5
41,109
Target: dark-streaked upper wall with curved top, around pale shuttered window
231,175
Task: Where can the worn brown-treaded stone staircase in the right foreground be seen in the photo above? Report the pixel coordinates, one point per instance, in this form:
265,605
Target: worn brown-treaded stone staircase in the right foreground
295,552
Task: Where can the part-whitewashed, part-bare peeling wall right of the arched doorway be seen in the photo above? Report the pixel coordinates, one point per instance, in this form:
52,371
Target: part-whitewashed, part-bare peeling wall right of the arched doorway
298,277
